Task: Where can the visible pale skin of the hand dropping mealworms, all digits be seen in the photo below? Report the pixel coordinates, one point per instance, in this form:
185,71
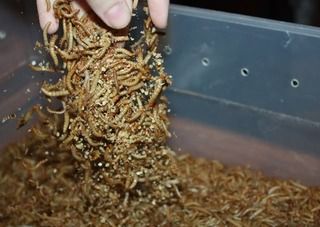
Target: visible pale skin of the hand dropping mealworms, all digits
115,13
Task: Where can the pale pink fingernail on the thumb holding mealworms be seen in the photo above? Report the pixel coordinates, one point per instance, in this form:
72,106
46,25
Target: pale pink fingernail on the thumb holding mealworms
118,16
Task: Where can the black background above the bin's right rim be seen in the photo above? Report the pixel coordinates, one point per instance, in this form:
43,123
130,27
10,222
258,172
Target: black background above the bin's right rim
297,11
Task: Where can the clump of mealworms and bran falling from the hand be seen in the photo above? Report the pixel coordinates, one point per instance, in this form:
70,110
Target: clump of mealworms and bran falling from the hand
113,117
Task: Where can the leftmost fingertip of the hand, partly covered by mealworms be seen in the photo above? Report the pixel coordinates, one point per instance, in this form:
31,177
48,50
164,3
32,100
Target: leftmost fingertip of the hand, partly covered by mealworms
45,16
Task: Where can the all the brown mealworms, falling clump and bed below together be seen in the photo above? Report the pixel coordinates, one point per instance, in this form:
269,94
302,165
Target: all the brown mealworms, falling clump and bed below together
97,155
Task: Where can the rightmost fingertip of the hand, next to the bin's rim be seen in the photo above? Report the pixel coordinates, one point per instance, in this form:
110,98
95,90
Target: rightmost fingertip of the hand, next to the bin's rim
159,12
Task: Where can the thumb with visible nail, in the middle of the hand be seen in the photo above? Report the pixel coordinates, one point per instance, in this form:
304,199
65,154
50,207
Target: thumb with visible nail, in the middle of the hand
115,13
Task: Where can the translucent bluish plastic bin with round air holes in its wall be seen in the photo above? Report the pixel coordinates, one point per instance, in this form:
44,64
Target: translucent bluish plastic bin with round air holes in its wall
245,89
